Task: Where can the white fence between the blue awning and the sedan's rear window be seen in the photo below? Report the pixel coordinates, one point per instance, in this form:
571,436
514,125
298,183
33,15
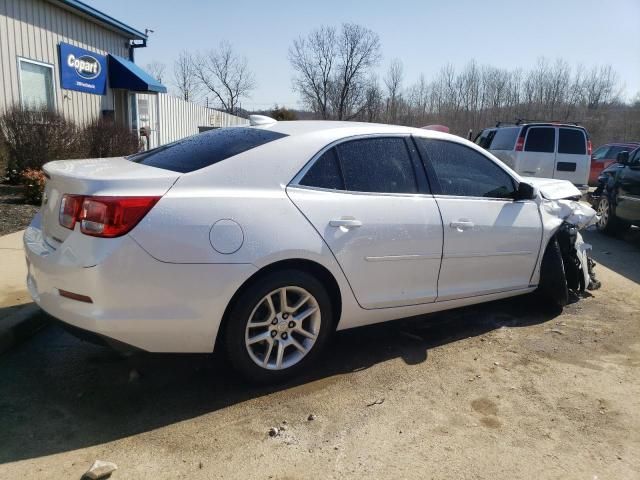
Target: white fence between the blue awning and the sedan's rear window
171,118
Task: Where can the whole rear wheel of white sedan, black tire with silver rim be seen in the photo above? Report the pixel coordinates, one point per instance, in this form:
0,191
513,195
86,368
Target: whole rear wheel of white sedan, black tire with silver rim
283,350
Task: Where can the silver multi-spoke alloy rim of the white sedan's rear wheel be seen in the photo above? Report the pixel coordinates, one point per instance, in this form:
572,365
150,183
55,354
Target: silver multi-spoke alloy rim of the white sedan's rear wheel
282,328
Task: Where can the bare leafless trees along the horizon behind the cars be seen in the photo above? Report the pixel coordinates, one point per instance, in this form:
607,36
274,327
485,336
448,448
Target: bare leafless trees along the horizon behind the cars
335,75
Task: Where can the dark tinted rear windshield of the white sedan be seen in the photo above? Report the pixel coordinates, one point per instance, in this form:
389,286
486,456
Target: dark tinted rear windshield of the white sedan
204,149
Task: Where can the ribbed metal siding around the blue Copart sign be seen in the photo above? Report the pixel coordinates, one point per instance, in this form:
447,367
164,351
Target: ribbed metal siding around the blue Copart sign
32,29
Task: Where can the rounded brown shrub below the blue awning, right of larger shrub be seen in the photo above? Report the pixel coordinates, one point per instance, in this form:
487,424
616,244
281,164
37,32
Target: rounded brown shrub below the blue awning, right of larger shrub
105,138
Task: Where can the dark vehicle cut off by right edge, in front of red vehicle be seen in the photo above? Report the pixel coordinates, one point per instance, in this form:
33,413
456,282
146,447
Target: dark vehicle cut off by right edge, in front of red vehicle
617,196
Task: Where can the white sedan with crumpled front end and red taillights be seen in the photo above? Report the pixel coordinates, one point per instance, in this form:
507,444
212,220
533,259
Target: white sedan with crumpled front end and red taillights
263,240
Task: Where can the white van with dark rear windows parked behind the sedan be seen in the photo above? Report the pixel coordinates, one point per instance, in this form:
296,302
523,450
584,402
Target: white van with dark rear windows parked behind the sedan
537,149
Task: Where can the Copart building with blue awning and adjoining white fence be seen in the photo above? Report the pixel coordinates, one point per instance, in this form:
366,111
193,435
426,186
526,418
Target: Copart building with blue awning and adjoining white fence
68,56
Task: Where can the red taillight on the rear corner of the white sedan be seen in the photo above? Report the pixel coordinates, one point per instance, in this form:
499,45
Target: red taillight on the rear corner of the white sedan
107,216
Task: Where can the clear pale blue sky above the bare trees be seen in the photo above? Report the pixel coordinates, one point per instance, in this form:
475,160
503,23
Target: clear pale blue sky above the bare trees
424,35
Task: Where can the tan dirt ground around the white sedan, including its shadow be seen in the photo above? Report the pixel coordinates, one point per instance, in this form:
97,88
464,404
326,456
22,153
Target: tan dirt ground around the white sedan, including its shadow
500,391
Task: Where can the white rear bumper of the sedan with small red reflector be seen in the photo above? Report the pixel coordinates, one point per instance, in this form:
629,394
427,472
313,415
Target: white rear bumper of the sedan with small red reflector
136,300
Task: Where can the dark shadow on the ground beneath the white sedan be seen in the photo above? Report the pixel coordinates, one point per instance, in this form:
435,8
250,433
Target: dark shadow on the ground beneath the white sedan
59,394
